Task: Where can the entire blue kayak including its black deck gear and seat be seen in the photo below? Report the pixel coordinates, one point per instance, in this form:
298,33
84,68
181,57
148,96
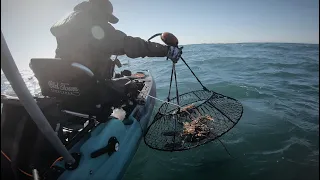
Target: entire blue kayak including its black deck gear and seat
102,145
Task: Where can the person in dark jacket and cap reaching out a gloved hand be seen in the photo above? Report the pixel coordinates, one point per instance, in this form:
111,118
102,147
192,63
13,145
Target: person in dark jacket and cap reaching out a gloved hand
86,36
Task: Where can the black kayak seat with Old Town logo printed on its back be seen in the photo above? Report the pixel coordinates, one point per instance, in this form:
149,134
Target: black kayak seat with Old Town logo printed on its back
74,85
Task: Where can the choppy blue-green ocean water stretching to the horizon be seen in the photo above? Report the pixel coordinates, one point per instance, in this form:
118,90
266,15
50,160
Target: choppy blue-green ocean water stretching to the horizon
278,136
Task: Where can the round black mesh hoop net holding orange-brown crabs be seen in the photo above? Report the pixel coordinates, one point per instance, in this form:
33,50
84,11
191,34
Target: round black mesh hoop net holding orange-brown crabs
202,117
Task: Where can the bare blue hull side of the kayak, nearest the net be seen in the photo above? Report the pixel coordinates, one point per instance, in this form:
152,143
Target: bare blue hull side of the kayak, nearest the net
129,136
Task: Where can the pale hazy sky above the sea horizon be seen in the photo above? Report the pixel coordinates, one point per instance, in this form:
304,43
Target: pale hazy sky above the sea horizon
26,23
